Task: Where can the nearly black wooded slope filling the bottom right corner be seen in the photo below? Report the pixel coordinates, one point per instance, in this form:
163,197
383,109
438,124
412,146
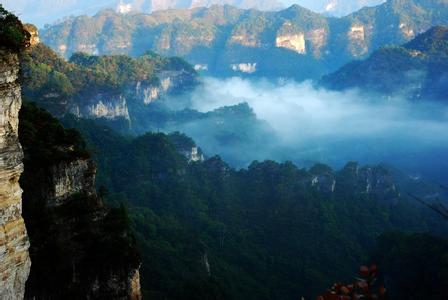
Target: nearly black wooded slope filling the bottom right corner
414,265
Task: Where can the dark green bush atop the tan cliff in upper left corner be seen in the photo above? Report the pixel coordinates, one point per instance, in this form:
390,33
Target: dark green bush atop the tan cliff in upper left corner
12,34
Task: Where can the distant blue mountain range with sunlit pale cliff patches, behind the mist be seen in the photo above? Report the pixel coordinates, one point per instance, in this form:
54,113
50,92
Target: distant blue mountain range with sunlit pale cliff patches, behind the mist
224,41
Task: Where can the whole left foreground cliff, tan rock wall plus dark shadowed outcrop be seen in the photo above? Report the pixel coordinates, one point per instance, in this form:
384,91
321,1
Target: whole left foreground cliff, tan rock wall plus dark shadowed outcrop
57,237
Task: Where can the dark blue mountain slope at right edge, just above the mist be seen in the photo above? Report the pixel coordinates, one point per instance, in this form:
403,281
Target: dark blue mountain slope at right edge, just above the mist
416,70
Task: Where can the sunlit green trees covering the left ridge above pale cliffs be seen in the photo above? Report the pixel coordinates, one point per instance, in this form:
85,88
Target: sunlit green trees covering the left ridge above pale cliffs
58,85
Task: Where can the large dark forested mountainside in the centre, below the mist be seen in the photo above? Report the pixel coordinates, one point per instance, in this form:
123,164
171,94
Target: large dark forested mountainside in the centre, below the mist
271,231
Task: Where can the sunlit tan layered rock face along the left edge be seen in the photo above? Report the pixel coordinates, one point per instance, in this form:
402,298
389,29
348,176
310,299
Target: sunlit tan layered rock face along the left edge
14,258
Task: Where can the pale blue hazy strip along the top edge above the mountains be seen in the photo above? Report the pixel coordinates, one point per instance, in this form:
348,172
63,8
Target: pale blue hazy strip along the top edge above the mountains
42,12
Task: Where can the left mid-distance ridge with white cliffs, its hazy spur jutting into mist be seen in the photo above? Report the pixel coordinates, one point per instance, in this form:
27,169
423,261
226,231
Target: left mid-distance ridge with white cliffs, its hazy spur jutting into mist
132,96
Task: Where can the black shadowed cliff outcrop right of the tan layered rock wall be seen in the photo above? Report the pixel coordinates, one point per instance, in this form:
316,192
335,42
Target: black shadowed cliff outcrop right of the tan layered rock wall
80,248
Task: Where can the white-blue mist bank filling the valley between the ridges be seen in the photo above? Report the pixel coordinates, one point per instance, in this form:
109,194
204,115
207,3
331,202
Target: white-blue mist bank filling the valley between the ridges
312,125
